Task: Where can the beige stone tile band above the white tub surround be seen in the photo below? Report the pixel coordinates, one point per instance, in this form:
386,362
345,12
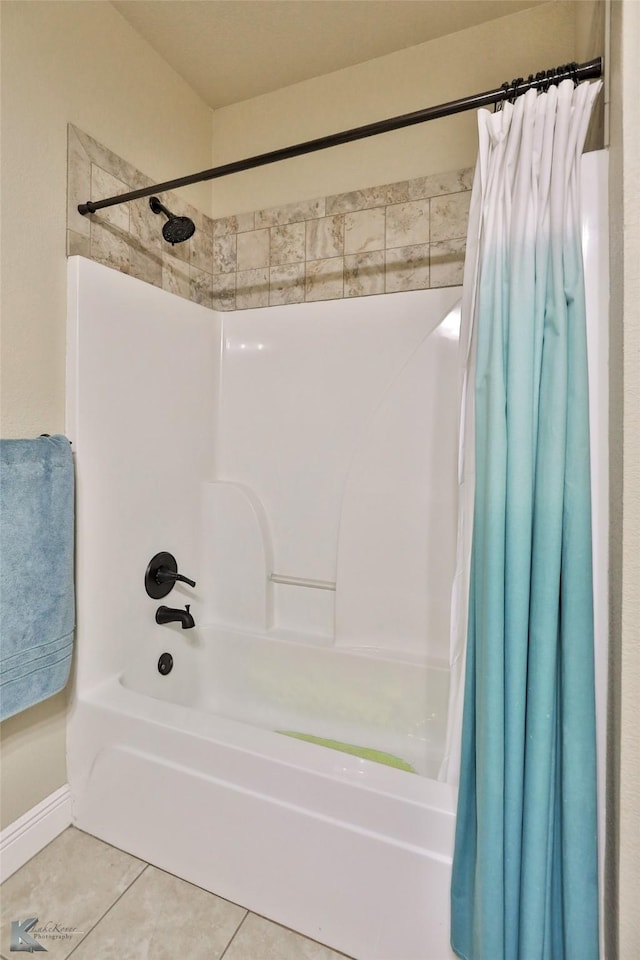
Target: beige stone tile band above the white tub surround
401,236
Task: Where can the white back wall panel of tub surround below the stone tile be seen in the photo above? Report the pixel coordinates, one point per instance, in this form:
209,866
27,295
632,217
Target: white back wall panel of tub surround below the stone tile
351,472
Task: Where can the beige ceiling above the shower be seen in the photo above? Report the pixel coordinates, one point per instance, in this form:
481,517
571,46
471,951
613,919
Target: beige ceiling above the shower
231,50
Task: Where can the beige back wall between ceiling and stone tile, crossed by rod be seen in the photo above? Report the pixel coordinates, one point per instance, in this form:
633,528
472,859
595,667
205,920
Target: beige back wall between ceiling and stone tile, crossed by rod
463,63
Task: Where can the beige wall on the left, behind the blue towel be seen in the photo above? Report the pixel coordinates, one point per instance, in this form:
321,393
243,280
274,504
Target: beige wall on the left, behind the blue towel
78,62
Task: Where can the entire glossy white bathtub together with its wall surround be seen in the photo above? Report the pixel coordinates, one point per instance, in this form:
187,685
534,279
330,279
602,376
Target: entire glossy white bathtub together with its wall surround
191,770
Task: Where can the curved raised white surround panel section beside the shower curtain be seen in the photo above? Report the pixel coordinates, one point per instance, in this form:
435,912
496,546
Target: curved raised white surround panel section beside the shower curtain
400,500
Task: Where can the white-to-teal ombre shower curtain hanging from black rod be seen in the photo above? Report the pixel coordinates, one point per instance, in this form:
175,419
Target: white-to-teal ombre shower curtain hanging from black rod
524,883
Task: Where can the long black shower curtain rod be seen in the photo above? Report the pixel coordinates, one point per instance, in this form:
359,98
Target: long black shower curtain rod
574,71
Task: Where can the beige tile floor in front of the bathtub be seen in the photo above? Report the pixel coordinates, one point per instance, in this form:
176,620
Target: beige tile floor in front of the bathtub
94,902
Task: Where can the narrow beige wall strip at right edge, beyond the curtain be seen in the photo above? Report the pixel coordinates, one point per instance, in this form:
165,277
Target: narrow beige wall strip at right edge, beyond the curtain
624,862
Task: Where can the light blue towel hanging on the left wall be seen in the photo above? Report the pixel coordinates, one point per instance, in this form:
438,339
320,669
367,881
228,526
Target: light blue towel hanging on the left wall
37,604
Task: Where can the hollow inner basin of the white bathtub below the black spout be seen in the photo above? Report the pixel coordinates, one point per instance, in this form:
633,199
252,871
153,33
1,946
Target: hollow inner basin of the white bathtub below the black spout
365,698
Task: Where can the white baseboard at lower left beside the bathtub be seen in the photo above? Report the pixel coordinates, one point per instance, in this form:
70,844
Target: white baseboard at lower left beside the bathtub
26,836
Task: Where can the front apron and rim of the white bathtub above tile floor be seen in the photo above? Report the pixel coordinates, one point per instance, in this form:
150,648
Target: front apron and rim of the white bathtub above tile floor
345,850
